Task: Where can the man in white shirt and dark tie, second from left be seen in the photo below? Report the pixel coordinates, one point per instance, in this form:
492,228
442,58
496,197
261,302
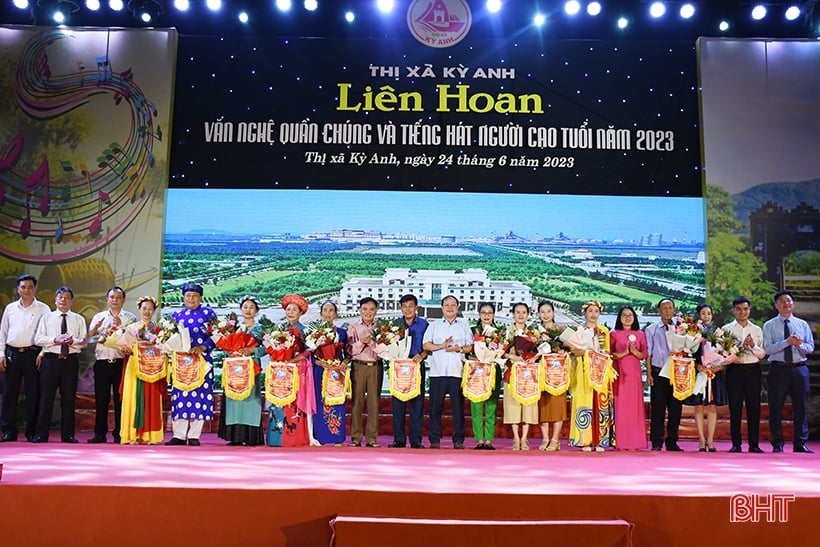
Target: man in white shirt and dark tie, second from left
62,334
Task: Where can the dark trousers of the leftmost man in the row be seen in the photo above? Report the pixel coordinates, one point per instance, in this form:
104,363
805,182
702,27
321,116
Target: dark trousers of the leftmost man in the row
21,369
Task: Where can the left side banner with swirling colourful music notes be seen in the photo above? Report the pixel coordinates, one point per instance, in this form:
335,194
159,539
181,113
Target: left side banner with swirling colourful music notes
84,129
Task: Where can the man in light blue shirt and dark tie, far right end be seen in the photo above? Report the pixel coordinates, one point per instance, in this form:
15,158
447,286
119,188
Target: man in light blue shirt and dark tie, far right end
788,340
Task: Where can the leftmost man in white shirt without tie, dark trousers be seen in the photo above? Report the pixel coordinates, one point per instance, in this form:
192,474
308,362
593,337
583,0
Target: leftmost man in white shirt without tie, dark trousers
19,357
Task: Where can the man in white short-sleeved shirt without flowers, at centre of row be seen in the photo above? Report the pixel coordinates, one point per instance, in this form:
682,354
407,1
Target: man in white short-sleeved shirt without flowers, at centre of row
448,340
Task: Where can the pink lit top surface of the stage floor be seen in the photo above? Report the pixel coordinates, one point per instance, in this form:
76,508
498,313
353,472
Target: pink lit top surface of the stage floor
503,471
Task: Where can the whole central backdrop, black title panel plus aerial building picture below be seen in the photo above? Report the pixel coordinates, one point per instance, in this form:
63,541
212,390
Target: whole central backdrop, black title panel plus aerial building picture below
496,170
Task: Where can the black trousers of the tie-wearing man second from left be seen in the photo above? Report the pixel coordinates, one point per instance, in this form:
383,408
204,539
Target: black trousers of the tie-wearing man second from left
58,373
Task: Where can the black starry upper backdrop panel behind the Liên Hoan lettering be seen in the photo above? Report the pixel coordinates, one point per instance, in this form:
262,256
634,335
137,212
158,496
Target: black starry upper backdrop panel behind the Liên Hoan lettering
648,88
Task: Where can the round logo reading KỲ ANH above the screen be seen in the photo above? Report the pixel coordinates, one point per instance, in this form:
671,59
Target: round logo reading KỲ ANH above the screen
439,23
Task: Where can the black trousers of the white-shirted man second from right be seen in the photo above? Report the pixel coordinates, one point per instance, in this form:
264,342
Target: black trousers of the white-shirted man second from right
743,384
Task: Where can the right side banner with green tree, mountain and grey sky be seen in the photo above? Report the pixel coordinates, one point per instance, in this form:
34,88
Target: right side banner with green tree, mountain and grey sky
761,108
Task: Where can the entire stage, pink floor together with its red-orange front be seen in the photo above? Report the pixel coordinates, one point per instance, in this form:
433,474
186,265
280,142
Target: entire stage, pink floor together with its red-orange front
220,495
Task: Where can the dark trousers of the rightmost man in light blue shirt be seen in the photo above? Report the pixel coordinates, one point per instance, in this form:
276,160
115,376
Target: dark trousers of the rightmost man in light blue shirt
794,382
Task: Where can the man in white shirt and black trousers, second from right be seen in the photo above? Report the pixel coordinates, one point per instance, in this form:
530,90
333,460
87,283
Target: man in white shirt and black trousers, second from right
743,378
